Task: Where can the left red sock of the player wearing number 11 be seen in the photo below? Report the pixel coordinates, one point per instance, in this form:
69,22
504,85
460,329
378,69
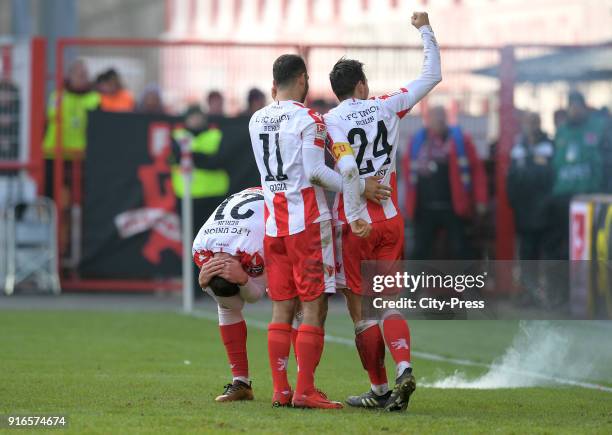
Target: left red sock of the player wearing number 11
279,346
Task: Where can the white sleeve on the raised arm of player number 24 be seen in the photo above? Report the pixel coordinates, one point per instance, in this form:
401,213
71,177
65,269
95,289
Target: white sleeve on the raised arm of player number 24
401,101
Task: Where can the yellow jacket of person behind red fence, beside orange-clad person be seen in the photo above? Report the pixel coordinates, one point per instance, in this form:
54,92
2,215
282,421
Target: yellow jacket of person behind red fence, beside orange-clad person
74,108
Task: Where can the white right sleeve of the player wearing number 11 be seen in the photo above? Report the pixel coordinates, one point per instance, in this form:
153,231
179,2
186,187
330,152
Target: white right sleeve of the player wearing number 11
313,156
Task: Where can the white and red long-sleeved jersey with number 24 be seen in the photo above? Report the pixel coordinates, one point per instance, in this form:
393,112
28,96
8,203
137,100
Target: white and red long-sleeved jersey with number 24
371,127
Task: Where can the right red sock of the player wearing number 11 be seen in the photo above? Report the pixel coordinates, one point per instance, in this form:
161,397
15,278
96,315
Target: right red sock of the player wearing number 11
309,348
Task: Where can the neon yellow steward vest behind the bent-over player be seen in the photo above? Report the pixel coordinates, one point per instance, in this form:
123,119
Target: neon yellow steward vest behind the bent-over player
207,180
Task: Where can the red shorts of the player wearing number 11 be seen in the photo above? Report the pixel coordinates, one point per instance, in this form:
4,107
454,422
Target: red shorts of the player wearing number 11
301,265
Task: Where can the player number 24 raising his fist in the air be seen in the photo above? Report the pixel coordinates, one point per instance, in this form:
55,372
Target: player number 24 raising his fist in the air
366,132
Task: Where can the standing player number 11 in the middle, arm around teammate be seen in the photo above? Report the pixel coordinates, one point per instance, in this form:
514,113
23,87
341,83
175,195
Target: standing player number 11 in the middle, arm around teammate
288,141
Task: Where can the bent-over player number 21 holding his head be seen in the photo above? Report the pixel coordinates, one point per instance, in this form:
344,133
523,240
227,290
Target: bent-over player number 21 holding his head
229,251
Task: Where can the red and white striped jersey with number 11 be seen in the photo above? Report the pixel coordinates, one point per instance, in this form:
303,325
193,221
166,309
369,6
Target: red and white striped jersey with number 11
279,134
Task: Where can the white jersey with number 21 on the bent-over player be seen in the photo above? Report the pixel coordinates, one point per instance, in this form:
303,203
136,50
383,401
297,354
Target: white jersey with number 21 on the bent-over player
237,228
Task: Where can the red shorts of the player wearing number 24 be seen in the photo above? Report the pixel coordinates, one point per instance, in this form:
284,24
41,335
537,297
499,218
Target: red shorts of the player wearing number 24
385,243
